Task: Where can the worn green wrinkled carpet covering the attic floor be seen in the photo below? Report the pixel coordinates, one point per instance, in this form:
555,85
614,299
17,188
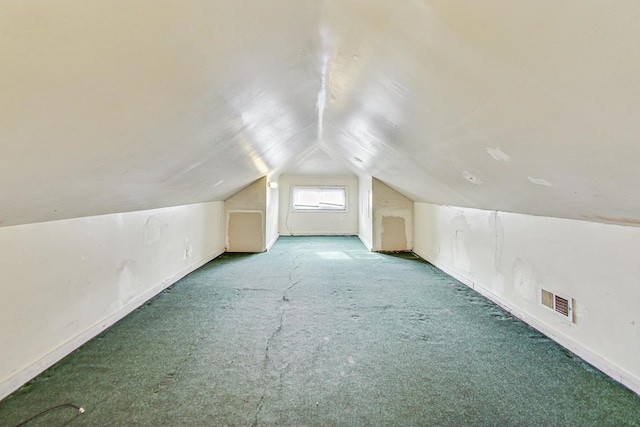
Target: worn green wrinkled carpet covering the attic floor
319,331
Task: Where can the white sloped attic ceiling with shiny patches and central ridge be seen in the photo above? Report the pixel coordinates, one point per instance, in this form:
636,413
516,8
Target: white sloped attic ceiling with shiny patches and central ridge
513,105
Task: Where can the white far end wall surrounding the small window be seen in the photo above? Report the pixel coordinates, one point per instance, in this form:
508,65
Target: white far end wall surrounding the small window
318,223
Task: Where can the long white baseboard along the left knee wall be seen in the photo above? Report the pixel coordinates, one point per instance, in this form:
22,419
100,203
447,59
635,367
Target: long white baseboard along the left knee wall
15,381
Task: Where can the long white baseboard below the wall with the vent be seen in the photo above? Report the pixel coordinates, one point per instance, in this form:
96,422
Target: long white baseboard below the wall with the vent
617,373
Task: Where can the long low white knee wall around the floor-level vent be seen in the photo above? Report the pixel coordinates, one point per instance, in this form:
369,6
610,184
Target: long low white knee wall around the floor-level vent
508,257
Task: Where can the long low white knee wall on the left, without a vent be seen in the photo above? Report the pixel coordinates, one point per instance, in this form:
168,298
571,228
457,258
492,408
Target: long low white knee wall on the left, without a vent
63,282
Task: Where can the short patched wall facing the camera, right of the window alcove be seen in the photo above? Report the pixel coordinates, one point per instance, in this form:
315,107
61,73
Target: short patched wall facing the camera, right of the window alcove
392,219
